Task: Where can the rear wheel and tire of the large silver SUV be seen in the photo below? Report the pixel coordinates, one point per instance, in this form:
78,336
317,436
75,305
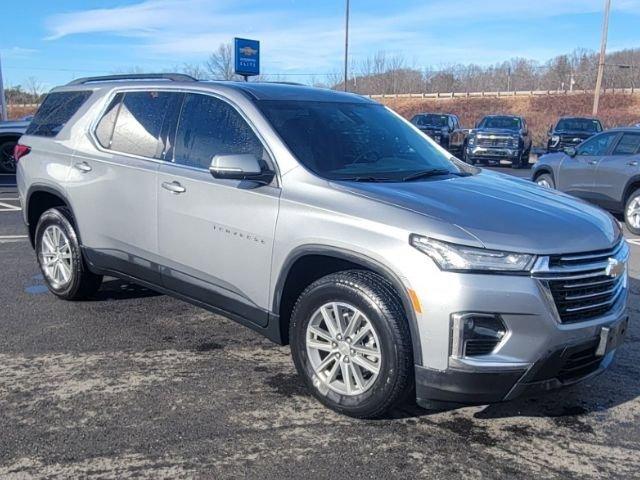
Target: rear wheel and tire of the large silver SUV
55,226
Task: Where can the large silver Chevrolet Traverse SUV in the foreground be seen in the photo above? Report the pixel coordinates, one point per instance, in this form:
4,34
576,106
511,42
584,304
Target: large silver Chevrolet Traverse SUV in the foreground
326,221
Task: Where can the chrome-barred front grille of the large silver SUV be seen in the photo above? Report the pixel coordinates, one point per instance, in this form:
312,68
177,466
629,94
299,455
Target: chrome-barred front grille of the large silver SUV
580,284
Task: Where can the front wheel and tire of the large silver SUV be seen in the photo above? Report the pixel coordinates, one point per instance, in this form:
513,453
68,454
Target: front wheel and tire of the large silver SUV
378,304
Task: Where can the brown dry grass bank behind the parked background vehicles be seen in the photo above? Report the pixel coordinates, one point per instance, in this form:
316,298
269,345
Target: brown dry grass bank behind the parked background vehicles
540,112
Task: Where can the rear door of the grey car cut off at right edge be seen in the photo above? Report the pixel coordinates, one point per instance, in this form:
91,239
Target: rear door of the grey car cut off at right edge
615,169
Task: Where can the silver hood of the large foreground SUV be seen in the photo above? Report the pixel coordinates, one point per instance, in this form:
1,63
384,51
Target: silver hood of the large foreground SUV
502,212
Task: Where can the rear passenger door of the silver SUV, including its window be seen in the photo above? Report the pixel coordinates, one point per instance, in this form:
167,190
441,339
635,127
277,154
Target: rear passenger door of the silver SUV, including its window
114,188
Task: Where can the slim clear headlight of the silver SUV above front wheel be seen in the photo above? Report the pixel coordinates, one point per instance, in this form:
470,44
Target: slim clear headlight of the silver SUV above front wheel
449,256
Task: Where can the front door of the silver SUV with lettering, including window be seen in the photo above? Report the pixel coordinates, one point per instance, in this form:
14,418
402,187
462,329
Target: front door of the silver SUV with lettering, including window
216,236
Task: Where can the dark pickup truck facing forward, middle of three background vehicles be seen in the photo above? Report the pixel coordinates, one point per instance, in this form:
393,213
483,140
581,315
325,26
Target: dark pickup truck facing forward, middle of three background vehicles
496,138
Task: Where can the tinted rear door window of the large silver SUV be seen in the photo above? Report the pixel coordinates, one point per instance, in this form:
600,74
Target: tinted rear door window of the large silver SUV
139,123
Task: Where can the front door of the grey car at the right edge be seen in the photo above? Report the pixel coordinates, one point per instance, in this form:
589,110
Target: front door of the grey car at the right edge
577,174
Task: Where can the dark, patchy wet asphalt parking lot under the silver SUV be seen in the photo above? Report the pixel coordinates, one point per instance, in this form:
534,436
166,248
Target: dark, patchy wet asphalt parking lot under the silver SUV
137,384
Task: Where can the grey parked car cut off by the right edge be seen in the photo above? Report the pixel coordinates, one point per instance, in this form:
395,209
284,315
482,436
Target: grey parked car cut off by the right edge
603,170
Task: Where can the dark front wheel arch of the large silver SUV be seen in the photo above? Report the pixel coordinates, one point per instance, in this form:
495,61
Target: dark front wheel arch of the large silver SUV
296,275
